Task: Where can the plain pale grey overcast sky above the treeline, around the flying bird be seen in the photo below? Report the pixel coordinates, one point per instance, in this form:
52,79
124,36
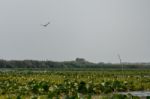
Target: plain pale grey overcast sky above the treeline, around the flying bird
96,30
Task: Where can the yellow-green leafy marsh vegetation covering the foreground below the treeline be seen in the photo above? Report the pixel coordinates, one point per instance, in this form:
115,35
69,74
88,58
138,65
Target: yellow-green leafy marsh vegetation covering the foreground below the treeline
72,84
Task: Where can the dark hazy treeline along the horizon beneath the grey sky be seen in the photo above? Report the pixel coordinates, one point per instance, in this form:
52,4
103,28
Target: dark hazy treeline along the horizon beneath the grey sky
78,63
